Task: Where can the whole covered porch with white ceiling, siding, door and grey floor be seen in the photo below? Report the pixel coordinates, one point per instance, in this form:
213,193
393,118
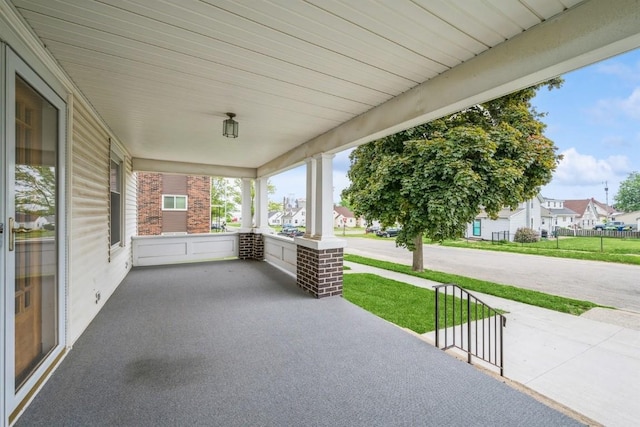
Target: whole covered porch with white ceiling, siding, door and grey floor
101,90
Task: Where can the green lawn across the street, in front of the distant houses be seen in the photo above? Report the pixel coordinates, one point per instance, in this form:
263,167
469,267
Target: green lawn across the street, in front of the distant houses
608,249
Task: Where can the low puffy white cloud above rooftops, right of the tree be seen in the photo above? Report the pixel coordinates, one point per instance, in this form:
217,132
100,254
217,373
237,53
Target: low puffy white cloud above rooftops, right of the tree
584,169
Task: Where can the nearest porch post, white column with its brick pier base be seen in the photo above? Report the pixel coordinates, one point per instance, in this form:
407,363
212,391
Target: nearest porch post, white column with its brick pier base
319,253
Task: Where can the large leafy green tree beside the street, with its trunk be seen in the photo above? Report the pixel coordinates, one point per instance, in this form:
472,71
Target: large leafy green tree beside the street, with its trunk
433,179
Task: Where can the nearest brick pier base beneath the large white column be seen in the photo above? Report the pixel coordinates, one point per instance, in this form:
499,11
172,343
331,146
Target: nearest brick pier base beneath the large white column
319,271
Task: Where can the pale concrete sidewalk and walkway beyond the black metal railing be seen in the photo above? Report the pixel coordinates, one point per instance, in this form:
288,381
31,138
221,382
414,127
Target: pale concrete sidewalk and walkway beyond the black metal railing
589,366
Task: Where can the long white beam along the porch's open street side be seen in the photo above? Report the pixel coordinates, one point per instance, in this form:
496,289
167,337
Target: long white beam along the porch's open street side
588,33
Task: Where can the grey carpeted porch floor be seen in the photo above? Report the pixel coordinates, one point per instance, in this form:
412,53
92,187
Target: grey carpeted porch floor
236,343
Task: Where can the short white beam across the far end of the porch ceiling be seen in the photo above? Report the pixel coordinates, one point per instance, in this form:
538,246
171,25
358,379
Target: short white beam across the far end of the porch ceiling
164,166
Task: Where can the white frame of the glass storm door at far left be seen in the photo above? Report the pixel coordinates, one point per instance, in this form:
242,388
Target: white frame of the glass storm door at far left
11,66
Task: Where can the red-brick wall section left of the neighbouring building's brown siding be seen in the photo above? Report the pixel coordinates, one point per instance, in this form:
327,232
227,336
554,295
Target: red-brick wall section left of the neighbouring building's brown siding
149,199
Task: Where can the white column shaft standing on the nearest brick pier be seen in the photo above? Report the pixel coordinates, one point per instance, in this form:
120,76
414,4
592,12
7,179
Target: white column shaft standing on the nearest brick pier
324,197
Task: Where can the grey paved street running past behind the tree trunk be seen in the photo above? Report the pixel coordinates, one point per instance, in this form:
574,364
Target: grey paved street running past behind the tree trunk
609,284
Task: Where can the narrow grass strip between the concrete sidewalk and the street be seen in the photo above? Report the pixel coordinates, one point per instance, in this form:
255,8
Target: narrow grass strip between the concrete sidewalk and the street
527,296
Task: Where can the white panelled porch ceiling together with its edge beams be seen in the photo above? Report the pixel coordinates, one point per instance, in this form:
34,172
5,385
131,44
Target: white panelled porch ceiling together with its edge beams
310,76
